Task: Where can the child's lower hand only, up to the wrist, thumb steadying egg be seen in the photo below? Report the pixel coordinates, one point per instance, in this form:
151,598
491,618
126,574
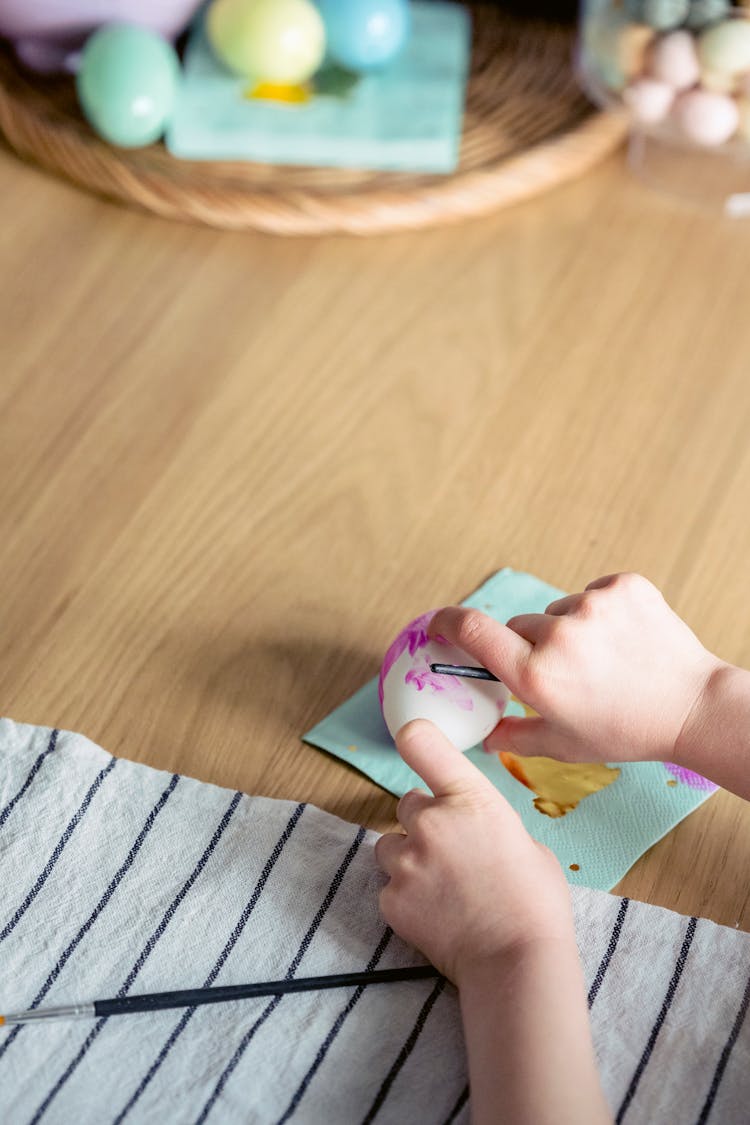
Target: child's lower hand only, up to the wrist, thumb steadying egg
468,885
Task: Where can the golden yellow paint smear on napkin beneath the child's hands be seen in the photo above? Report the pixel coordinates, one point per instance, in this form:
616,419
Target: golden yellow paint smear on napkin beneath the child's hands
559,786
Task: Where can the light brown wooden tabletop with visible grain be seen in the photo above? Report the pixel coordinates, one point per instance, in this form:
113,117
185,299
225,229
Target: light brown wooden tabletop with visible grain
233,466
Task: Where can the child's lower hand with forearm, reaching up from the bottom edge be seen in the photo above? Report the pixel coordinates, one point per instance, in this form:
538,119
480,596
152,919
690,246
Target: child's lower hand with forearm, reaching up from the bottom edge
491,908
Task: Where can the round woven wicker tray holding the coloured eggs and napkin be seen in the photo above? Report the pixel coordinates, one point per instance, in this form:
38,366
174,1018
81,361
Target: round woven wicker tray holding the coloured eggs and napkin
528,128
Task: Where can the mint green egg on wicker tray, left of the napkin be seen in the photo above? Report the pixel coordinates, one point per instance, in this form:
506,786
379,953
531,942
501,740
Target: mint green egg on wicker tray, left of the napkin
128,84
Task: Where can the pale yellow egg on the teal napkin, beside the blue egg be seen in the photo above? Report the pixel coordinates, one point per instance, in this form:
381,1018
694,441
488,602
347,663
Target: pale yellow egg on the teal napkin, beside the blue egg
278,41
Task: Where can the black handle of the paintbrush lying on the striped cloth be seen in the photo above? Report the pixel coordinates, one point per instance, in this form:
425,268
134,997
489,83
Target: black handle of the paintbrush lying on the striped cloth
193,997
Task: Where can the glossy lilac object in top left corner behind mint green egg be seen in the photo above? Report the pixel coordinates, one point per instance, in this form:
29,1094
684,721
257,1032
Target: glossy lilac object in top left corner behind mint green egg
49,34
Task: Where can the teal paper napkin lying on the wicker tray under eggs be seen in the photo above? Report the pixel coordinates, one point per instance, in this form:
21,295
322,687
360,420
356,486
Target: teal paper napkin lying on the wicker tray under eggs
406,118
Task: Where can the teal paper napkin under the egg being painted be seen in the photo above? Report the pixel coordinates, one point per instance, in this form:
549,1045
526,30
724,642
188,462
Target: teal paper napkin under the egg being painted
602,838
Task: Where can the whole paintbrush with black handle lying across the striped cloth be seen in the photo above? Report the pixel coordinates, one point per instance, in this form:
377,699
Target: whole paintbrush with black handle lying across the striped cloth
194,997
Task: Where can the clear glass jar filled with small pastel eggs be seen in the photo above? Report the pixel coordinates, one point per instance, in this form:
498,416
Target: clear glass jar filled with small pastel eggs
681,70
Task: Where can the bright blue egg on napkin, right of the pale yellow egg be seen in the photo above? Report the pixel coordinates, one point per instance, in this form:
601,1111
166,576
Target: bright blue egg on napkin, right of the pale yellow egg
365,34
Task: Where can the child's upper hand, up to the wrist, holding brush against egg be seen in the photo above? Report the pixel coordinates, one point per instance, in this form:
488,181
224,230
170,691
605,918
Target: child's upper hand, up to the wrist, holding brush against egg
613,673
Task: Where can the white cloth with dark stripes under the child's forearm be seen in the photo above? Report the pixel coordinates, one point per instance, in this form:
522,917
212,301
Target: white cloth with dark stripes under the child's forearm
119,879
